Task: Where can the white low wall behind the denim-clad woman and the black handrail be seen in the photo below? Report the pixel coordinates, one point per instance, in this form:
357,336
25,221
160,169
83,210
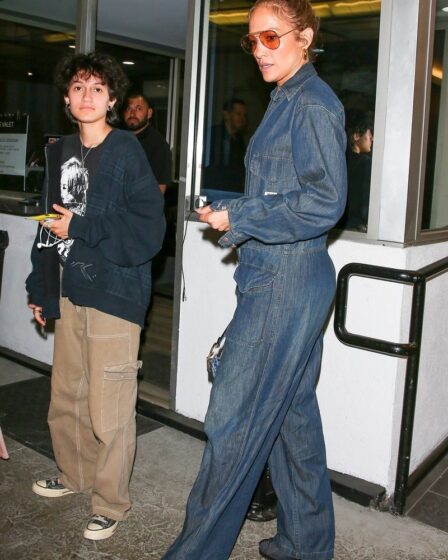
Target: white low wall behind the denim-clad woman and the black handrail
360,392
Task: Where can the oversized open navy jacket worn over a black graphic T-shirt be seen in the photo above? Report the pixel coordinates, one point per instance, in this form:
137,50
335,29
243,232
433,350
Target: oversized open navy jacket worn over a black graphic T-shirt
109,264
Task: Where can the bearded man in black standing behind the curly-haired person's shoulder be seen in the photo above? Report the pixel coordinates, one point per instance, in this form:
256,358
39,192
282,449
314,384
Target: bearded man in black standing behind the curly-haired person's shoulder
137,116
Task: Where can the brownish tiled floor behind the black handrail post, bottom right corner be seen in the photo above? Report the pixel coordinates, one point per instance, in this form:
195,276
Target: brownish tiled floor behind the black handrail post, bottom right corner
428,503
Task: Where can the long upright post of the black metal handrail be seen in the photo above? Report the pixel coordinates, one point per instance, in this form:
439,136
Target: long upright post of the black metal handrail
409,397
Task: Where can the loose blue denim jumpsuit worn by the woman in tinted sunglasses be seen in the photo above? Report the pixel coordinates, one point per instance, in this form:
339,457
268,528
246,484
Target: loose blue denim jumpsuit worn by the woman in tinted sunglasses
263,404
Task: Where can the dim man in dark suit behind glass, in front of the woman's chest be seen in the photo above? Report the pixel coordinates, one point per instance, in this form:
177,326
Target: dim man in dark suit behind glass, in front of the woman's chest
225,166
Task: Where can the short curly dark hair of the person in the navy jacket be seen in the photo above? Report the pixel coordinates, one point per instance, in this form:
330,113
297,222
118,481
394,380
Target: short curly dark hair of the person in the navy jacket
97,64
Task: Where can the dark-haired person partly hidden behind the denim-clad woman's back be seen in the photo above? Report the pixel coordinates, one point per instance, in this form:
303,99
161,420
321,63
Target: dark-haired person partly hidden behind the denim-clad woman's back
359,171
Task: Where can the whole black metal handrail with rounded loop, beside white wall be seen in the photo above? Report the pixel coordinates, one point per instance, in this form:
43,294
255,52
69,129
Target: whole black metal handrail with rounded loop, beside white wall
410,350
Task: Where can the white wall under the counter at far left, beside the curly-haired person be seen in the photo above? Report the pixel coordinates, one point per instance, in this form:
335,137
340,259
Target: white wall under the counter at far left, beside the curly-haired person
18,331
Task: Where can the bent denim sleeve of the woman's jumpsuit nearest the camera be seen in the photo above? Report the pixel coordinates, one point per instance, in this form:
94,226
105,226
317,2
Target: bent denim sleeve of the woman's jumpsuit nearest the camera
317,201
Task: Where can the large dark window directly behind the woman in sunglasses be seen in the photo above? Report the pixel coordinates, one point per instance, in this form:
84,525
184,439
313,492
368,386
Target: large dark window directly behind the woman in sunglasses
236,96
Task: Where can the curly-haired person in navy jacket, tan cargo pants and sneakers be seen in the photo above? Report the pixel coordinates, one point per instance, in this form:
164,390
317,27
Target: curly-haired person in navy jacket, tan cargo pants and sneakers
92,273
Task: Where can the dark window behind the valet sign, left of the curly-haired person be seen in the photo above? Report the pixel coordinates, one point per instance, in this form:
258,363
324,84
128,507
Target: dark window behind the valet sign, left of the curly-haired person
27,61
